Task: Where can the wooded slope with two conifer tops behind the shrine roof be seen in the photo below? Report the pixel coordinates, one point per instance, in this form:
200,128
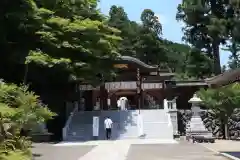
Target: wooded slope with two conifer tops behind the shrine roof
143,41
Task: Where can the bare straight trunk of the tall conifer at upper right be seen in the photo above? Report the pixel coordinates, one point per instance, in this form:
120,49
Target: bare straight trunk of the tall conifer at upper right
216,56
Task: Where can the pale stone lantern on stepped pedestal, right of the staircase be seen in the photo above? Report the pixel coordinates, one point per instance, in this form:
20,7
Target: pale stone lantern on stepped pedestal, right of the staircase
196,129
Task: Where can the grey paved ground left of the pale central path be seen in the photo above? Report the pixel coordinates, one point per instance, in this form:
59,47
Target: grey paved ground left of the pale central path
49,152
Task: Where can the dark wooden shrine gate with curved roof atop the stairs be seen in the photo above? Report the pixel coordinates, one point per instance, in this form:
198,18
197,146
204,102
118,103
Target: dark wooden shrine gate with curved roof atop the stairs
144,86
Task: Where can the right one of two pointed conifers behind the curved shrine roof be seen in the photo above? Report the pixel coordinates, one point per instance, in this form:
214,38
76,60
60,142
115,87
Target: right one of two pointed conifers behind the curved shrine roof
148,47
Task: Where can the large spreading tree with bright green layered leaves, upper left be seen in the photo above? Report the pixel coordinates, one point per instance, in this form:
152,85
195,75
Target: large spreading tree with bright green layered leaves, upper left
66,36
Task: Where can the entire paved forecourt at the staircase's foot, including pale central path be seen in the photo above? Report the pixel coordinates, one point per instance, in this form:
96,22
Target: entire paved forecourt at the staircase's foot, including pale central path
125,150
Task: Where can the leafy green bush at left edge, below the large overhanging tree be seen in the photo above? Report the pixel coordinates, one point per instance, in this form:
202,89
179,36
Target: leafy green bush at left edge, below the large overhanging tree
27,106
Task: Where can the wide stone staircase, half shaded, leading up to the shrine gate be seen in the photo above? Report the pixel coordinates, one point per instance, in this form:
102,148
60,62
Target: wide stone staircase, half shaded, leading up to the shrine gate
155,125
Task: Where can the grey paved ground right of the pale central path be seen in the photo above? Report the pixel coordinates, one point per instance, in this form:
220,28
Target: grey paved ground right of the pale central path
182,151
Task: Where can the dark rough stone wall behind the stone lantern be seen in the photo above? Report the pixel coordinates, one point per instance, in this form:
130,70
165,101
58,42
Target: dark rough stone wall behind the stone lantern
211,123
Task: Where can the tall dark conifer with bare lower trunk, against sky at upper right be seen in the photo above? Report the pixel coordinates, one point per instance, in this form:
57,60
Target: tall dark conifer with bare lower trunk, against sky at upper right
206,24
